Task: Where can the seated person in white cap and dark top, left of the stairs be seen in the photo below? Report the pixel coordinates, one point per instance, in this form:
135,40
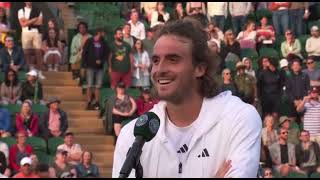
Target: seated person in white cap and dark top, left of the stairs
32,88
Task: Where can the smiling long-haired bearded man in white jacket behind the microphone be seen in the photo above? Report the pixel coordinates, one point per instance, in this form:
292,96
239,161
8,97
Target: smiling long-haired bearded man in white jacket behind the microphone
202,133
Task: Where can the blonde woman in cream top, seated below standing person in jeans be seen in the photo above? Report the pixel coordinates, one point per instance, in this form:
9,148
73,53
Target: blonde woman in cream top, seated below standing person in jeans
291,47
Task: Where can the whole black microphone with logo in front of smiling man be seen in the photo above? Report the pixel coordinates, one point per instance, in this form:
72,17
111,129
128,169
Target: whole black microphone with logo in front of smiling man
145,129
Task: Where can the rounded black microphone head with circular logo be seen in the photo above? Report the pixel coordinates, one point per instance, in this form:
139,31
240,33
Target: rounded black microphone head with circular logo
147,126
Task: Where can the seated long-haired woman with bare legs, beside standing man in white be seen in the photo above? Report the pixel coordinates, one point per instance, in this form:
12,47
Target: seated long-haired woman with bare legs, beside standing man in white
52,50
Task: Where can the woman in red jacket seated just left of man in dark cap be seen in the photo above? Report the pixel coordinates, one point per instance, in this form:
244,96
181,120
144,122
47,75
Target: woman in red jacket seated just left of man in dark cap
27,121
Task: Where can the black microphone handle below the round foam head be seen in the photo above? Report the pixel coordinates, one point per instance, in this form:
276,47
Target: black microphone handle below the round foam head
132,158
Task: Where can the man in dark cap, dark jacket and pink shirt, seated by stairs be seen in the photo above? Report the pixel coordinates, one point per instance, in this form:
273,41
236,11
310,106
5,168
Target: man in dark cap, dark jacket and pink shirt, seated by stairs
54,122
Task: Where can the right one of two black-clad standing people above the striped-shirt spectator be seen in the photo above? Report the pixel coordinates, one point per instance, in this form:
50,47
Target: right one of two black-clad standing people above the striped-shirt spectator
297,86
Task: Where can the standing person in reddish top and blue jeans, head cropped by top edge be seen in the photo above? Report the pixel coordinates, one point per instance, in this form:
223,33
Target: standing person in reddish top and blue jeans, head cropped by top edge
280,16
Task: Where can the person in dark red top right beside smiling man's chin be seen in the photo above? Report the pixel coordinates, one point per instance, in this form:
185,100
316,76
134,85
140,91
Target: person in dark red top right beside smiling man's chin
145,102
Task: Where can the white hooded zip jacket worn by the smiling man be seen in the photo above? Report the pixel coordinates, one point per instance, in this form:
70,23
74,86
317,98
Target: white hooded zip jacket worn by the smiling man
229,130
